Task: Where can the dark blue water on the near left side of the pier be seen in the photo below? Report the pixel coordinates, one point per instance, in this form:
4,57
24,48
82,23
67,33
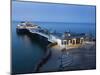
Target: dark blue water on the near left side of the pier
26,52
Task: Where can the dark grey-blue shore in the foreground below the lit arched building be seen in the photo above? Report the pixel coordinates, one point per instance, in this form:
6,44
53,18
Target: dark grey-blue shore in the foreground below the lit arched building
76,59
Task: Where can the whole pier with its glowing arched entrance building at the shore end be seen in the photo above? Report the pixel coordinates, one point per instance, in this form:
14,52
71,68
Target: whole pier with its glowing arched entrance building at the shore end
63,40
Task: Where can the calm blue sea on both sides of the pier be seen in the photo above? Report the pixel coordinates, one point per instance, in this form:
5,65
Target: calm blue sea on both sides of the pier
26,52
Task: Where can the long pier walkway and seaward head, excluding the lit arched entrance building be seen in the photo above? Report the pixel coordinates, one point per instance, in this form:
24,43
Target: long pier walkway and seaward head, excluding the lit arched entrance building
35,29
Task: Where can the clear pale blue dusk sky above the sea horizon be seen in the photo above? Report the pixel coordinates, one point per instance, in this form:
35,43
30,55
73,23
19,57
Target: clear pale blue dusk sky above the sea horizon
47,12
